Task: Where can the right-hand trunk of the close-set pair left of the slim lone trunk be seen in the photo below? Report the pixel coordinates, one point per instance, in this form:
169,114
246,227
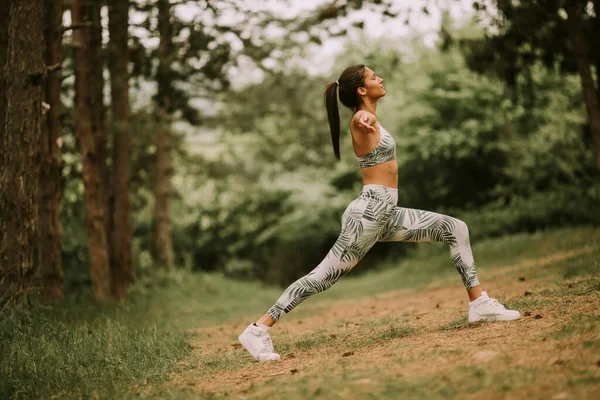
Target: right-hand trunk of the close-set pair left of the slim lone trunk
123,272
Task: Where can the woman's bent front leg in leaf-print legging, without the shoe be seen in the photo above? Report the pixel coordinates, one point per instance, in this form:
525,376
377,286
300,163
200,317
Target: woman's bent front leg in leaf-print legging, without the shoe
410,225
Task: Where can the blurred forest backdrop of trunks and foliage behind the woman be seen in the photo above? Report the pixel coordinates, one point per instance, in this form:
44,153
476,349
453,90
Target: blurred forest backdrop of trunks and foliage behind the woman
192,134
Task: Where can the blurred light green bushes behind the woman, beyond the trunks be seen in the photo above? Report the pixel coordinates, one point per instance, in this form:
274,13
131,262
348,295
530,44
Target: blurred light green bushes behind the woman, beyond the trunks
264,198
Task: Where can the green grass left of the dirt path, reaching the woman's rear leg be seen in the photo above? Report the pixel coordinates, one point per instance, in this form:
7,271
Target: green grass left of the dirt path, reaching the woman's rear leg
81,350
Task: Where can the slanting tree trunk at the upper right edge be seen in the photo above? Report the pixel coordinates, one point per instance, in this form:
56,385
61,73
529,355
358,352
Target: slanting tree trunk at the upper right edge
581,50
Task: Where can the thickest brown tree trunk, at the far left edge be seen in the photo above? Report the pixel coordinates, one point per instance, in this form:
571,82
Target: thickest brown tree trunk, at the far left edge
22,74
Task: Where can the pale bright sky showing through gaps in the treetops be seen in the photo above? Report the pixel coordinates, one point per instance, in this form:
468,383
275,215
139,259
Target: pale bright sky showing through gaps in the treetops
321,58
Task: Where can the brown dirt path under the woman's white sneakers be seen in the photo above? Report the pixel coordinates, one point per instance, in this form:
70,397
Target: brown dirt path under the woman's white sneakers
415,344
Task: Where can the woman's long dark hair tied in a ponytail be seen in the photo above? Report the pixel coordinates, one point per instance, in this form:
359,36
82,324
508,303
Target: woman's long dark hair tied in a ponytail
351,79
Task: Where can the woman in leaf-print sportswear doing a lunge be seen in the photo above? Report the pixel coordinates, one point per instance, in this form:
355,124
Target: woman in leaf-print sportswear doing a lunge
374,215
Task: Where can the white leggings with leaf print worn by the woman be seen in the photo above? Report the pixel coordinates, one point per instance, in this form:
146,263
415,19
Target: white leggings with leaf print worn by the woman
375,217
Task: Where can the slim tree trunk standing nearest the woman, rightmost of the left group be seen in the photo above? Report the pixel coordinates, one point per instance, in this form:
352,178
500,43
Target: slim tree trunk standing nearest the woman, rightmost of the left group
162,247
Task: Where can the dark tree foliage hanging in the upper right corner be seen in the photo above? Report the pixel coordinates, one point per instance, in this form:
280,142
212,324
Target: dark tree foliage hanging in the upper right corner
522,34
